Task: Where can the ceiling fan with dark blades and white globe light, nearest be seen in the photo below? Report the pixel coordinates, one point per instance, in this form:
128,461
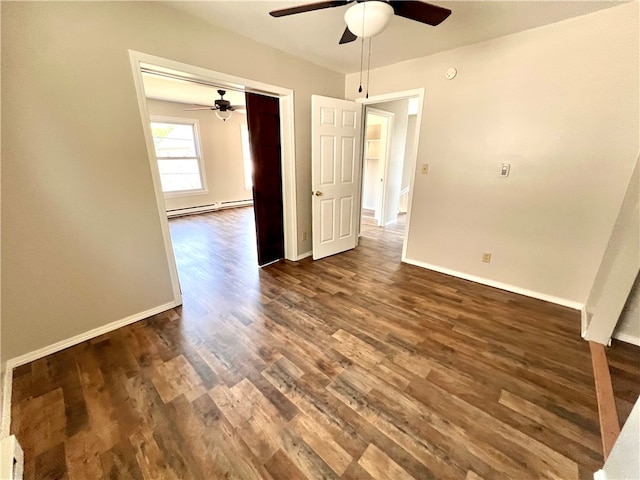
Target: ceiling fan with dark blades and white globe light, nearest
367,18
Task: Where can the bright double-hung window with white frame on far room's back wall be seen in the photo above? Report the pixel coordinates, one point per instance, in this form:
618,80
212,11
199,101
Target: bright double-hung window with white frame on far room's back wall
178,154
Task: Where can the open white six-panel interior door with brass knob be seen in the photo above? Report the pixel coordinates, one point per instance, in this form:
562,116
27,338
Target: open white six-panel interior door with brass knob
336,132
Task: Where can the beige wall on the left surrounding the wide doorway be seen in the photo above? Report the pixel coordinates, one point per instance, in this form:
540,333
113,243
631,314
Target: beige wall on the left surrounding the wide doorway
81,239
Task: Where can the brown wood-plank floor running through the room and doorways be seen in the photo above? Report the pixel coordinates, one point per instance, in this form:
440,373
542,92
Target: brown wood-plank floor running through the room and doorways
353,367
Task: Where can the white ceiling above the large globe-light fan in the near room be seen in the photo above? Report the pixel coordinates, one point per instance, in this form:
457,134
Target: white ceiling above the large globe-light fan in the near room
314,35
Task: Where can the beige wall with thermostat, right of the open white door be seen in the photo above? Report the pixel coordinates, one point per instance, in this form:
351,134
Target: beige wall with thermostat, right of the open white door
560,104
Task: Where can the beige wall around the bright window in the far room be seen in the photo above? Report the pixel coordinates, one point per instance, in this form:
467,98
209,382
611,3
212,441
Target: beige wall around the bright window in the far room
221,154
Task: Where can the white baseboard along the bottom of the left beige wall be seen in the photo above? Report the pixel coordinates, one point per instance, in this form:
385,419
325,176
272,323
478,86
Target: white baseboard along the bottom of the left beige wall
61,345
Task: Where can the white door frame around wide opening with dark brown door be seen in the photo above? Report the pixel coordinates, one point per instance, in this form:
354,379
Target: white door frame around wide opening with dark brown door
287,145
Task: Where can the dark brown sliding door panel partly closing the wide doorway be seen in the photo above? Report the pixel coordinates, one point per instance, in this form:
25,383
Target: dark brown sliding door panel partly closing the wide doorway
263,119
